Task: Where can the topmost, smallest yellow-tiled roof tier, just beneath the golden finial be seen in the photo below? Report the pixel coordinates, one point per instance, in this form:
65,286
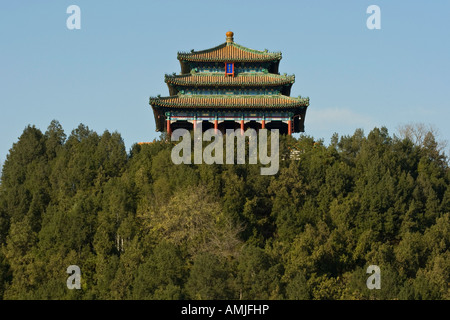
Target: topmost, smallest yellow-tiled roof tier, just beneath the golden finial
229,51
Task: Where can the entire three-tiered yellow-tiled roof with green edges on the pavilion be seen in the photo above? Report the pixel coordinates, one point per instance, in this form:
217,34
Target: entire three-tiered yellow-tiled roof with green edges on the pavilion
237,54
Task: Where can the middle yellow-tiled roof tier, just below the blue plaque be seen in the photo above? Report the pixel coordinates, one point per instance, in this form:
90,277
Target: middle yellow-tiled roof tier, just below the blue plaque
219,79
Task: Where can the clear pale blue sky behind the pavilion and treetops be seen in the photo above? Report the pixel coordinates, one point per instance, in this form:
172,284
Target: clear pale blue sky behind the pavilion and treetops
103,74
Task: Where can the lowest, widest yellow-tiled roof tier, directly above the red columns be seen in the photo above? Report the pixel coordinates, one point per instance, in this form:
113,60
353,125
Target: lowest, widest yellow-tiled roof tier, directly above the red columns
229,101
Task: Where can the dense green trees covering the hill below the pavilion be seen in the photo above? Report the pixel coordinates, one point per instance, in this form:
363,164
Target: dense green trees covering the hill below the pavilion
141,227
